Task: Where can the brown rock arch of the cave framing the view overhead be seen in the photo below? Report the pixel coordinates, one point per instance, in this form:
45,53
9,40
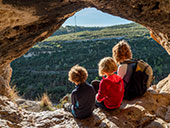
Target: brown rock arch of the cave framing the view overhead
23,22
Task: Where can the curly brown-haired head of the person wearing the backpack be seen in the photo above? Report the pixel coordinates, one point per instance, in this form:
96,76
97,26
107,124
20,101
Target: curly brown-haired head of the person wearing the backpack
121,51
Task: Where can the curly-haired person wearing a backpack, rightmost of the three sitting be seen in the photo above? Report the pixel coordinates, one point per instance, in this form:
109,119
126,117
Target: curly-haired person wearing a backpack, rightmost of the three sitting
134,83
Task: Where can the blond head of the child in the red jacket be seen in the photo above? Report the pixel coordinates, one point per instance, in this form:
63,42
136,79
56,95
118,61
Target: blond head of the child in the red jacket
107,65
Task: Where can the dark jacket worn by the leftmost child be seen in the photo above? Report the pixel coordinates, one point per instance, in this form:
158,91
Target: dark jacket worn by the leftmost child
83,100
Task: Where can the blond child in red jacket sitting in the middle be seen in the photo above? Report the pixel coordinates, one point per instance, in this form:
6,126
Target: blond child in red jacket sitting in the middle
111,88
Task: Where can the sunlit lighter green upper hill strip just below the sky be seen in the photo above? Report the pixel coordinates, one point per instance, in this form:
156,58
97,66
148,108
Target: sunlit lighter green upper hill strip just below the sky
132,30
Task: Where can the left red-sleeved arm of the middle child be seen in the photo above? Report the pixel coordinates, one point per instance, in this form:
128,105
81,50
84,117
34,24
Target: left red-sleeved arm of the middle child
102,91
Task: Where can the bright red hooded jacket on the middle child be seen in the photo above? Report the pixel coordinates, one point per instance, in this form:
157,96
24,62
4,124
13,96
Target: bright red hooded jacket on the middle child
111,91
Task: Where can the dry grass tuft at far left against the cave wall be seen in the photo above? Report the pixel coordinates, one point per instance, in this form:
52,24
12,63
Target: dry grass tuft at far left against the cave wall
12,93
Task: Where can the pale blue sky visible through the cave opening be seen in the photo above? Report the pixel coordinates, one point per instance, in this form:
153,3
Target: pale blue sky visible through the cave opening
94,17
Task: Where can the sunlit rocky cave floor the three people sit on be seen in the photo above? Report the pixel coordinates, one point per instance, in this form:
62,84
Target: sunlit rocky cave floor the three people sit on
150,111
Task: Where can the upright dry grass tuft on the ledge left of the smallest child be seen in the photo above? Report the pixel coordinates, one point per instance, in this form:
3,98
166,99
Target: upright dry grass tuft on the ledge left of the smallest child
45,103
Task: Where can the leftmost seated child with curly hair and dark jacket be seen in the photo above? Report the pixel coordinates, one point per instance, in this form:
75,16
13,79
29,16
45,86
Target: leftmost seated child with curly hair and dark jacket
83,96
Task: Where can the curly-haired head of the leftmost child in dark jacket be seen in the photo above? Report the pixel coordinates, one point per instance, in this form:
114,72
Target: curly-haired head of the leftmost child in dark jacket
77,74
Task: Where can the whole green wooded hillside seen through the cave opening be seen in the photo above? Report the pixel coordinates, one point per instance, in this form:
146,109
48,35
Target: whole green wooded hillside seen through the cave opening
45,67
